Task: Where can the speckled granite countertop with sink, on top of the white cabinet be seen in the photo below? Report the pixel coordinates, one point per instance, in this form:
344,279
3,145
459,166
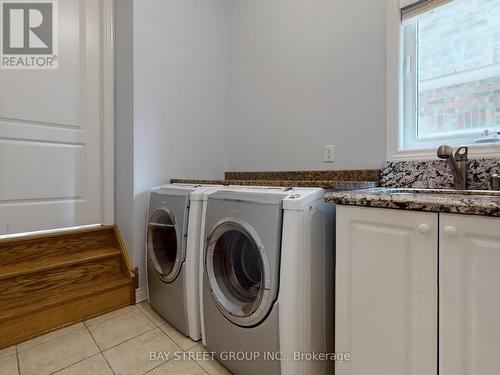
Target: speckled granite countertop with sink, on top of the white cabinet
470,202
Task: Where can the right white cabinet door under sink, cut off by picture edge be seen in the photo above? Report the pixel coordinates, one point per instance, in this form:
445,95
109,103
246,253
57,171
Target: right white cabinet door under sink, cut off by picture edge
469,272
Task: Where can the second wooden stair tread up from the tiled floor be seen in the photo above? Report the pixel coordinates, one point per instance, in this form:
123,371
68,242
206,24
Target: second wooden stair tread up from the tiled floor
56,261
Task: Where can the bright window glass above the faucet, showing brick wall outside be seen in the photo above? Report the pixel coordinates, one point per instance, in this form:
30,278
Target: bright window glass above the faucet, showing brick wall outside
459,67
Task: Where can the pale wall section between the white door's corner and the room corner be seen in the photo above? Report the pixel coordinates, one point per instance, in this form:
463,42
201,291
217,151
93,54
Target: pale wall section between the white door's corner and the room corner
180,97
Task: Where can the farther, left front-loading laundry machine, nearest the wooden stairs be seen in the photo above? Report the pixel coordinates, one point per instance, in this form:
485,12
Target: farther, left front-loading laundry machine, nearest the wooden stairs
173,254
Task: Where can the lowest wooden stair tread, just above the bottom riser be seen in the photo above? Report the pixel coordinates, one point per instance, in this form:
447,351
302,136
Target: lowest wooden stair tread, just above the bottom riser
25,304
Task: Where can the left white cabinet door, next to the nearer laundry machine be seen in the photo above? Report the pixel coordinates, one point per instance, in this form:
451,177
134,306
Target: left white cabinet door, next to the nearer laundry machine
386,291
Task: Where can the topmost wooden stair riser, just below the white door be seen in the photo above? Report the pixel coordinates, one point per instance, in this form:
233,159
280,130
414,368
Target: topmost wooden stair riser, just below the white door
39,248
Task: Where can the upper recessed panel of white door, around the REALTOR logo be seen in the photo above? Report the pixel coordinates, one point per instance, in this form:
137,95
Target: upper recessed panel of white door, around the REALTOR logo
51,96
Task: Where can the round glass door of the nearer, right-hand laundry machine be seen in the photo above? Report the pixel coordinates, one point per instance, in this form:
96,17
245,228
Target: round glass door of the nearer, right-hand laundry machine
238,274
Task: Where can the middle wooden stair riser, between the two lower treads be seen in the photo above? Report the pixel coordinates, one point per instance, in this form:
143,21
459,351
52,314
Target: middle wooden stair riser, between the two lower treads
28,285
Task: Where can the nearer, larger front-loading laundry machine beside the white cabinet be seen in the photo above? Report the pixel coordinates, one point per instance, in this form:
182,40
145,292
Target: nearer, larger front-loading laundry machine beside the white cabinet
268,286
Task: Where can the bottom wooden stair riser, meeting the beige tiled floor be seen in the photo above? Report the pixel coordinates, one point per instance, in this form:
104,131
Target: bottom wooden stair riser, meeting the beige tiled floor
27,326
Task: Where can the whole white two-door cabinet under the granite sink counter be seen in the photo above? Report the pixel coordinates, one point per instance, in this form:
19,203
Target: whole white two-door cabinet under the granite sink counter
387,302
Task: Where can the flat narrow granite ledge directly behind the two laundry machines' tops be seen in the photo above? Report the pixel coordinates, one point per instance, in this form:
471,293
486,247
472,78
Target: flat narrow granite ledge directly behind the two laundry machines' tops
325,184
